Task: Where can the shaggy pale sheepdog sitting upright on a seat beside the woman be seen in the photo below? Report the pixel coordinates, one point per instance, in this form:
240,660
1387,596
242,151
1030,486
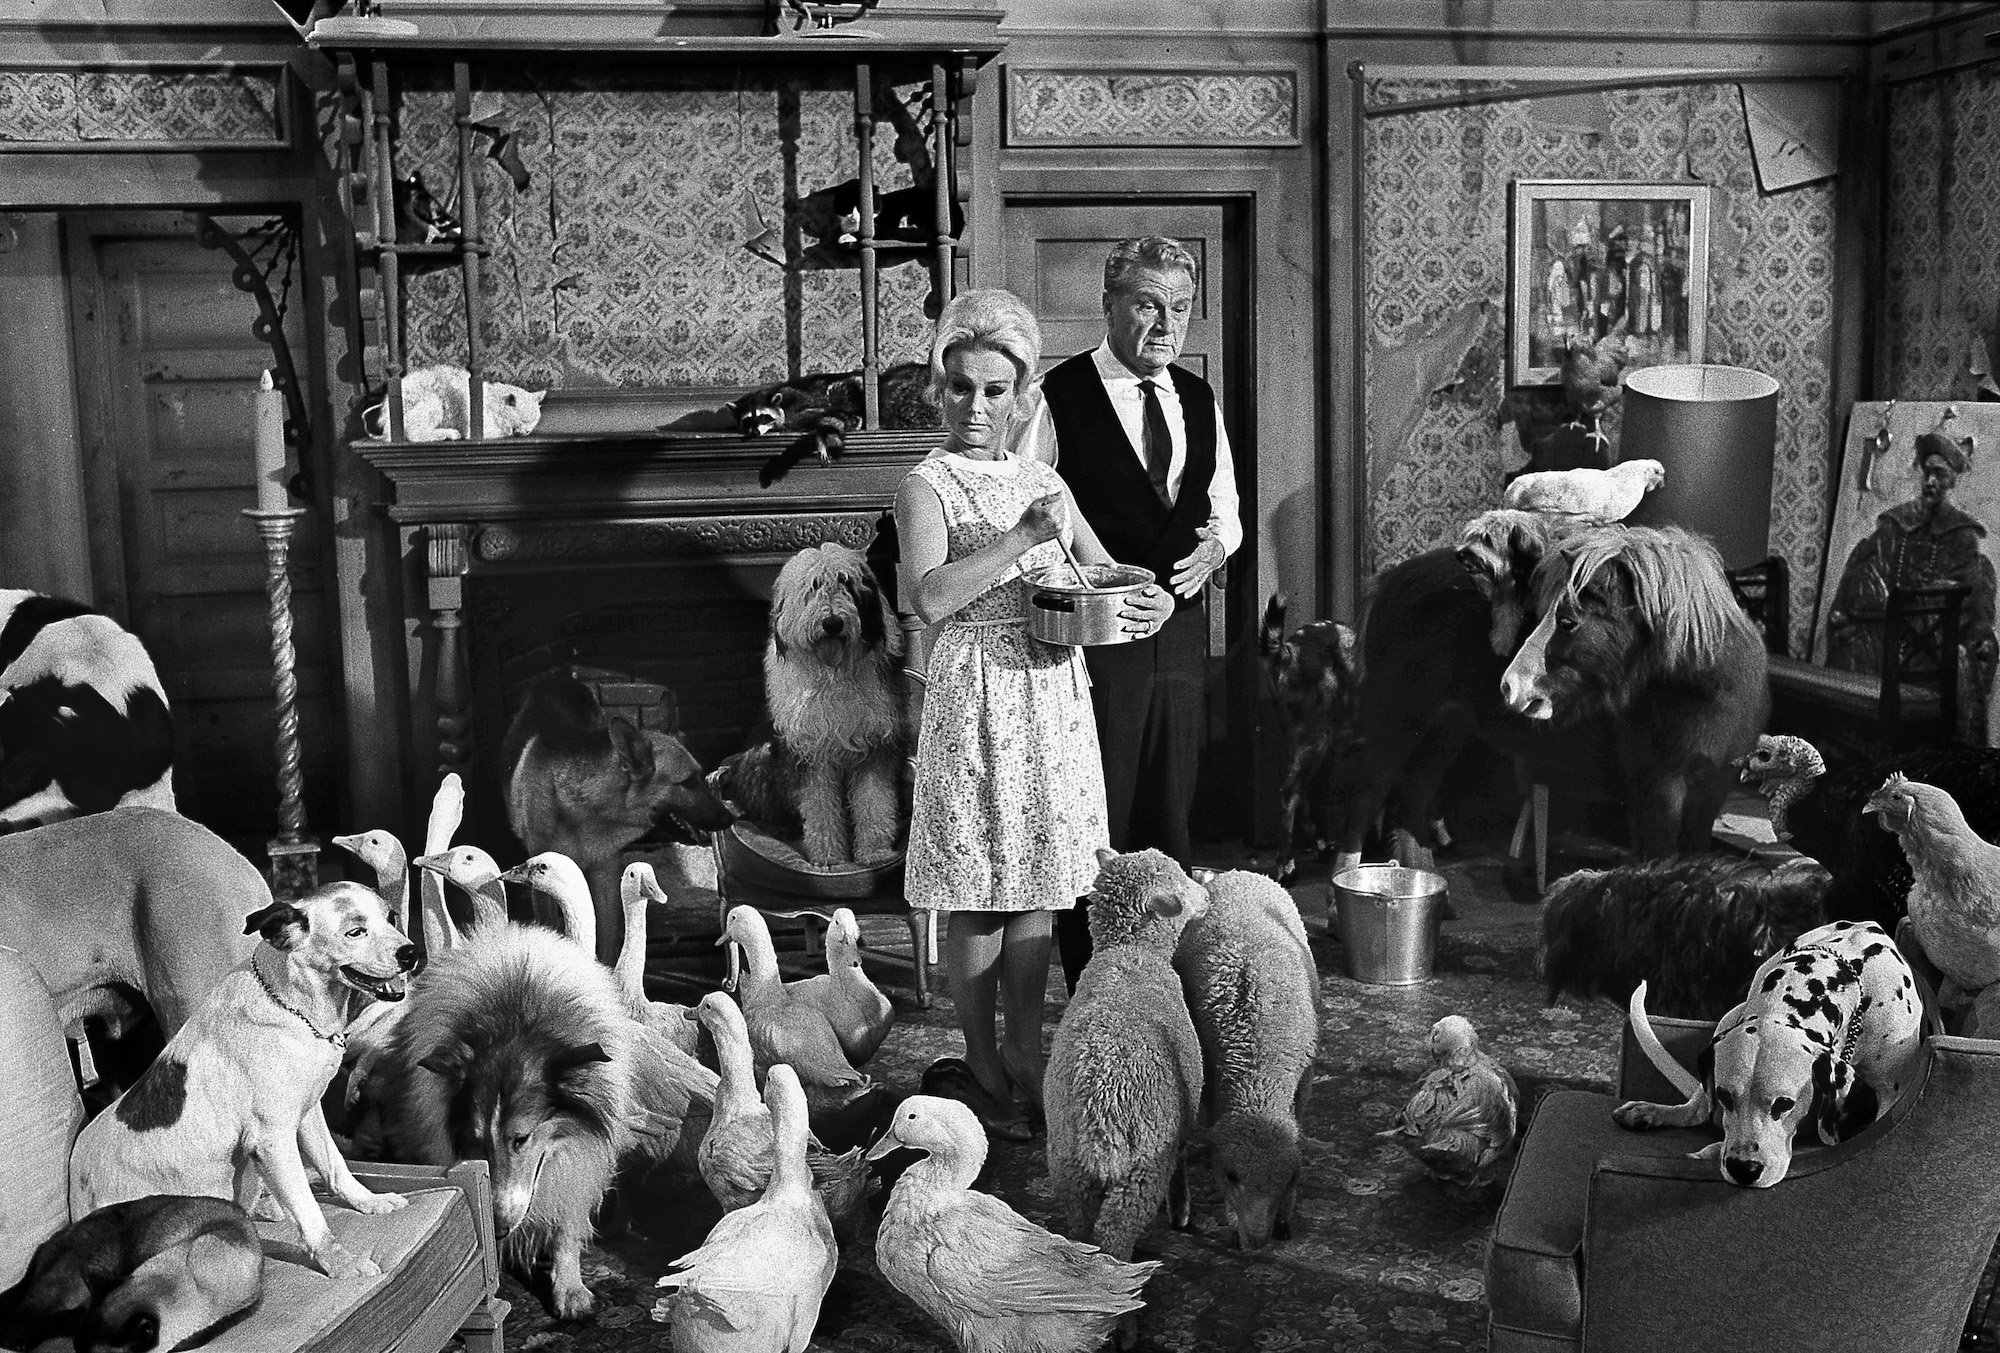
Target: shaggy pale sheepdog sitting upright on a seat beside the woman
833,690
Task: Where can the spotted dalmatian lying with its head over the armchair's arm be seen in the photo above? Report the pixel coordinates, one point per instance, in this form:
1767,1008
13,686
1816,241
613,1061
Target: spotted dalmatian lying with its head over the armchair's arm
1829,1038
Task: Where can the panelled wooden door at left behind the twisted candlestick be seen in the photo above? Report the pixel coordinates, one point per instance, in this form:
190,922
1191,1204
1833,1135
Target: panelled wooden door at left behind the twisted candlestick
167,371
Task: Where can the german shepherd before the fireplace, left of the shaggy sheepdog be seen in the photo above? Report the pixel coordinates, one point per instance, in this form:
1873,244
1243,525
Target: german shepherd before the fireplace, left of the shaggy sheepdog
589,786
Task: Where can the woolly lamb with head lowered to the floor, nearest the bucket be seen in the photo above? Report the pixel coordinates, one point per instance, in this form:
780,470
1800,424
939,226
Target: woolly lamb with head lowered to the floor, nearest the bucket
1255,1000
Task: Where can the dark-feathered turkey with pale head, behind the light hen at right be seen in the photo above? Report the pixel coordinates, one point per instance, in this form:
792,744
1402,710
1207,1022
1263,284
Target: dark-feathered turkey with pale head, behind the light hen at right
1821,814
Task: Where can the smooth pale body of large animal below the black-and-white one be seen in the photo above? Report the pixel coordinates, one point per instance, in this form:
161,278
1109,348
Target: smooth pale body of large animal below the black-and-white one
133,898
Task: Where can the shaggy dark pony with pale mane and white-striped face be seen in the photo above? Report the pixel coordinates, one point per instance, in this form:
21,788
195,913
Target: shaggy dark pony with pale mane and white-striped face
1641,625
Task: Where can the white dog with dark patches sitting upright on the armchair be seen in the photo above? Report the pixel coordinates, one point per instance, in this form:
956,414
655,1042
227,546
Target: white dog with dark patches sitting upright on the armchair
237,1094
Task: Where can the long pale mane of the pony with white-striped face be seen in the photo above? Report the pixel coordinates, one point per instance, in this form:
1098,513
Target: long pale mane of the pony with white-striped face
1679,589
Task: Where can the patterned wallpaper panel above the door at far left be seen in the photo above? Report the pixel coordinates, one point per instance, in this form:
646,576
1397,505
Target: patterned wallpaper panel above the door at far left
161,105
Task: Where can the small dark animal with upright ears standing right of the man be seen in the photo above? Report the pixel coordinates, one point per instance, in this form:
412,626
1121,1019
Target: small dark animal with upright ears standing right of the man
1313,673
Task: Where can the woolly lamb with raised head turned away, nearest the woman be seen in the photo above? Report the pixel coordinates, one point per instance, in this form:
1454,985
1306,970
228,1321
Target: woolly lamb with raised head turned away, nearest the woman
1125,1074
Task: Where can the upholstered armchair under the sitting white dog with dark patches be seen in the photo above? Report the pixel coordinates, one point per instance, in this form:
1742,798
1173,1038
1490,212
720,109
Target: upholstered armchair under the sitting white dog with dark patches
439,1260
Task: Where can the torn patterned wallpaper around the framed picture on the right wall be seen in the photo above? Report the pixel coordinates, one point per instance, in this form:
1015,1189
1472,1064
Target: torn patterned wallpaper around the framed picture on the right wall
1437,209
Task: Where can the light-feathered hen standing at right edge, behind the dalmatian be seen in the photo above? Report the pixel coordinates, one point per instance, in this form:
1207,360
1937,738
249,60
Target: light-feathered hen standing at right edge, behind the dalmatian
1955,900
